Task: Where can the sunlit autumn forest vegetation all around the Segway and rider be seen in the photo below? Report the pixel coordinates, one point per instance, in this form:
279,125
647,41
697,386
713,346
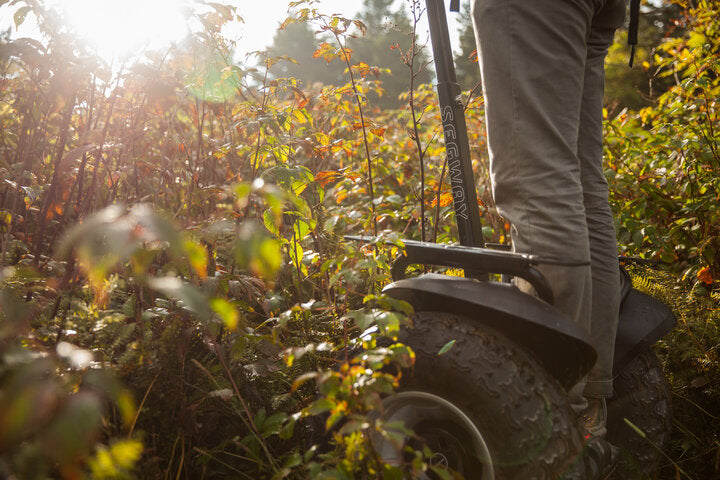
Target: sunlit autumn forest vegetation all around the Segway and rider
177,297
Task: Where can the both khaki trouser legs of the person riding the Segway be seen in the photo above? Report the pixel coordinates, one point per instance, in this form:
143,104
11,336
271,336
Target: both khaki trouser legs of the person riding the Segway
542,69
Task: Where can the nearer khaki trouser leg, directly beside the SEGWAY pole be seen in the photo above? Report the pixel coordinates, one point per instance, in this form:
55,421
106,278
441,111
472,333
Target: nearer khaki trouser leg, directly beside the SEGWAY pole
532,60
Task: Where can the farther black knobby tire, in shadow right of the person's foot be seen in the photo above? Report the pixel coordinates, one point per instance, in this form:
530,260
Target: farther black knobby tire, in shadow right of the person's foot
642,396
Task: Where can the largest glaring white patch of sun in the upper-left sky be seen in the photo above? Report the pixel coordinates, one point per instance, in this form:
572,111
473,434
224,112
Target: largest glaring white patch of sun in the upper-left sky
122,27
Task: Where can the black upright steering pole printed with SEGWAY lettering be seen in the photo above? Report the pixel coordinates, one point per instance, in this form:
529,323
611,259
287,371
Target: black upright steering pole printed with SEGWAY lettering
457,146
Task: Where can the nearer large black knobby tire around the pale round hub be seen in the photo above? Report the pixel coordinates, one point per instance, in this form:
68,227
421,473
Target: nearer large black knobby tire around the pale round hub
519,409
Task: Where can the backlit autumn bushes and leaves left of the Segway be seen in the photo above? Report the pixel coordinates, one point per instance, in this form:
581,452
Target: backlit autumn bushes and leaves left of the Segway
219,292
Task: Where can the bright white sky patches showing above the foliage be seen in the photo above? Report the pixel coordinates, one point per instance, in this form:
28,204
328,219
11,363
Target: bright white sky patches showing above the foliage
121,26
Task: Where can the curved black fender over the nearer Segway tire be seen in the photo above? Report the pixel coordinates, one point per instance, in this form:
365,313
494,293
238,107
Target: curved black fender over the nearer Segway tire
561,346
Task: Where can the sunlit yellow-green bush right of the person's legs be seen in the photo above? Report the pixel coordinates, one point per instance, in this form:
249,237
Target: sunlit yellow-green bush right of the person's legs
664,161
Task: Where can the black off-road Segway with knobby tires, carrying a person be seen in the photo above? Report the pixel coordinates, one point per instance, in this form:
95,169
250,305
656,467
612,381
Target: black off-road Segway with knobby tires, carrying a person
493,405
